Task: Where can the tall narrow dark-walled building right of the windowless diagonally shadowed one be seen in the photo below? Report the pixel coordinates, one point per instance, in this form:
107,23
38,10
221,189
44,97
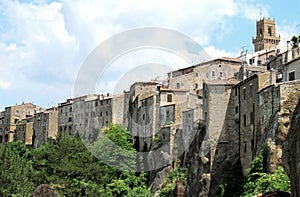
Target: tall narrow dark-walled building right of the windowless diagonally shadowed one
248,114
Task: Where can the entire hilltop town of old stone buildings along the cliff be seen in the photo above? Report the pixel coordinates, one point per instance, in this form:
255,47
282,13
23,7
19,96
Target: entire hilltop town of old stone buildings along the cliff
240,105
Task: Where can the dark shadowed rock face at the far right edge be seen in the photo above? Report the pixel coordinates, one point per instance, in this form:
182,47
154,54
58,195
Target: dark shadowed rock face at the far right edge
291,153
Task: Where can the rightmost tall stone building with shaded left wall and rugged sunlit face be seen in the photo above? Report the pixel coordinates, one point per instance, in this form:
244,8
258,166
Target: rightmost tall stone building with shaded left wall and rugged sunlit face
276,108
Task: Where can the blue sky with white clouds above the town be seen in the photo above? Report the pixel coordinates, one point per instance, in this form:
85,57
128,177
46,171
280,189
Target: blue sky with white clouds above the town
43,44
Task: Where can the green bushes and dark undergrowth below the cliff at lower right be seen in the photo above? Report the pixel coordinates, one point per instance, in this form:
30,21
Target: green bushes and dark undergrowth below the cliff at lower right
258,179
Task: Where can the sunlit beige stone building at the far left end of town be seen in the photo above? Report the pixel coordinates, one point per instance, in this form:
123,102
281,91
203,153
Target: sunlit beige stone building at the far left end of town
11,116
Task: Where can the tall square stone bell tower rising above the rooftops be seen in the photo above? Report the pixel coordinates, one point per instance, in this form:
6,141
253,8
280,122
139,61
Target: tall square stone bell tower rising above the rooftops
265,35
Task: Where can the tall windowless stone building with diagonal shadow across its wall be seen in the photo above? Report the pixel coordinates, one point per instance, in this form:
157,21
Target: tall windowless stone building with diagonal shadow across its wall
220,145
